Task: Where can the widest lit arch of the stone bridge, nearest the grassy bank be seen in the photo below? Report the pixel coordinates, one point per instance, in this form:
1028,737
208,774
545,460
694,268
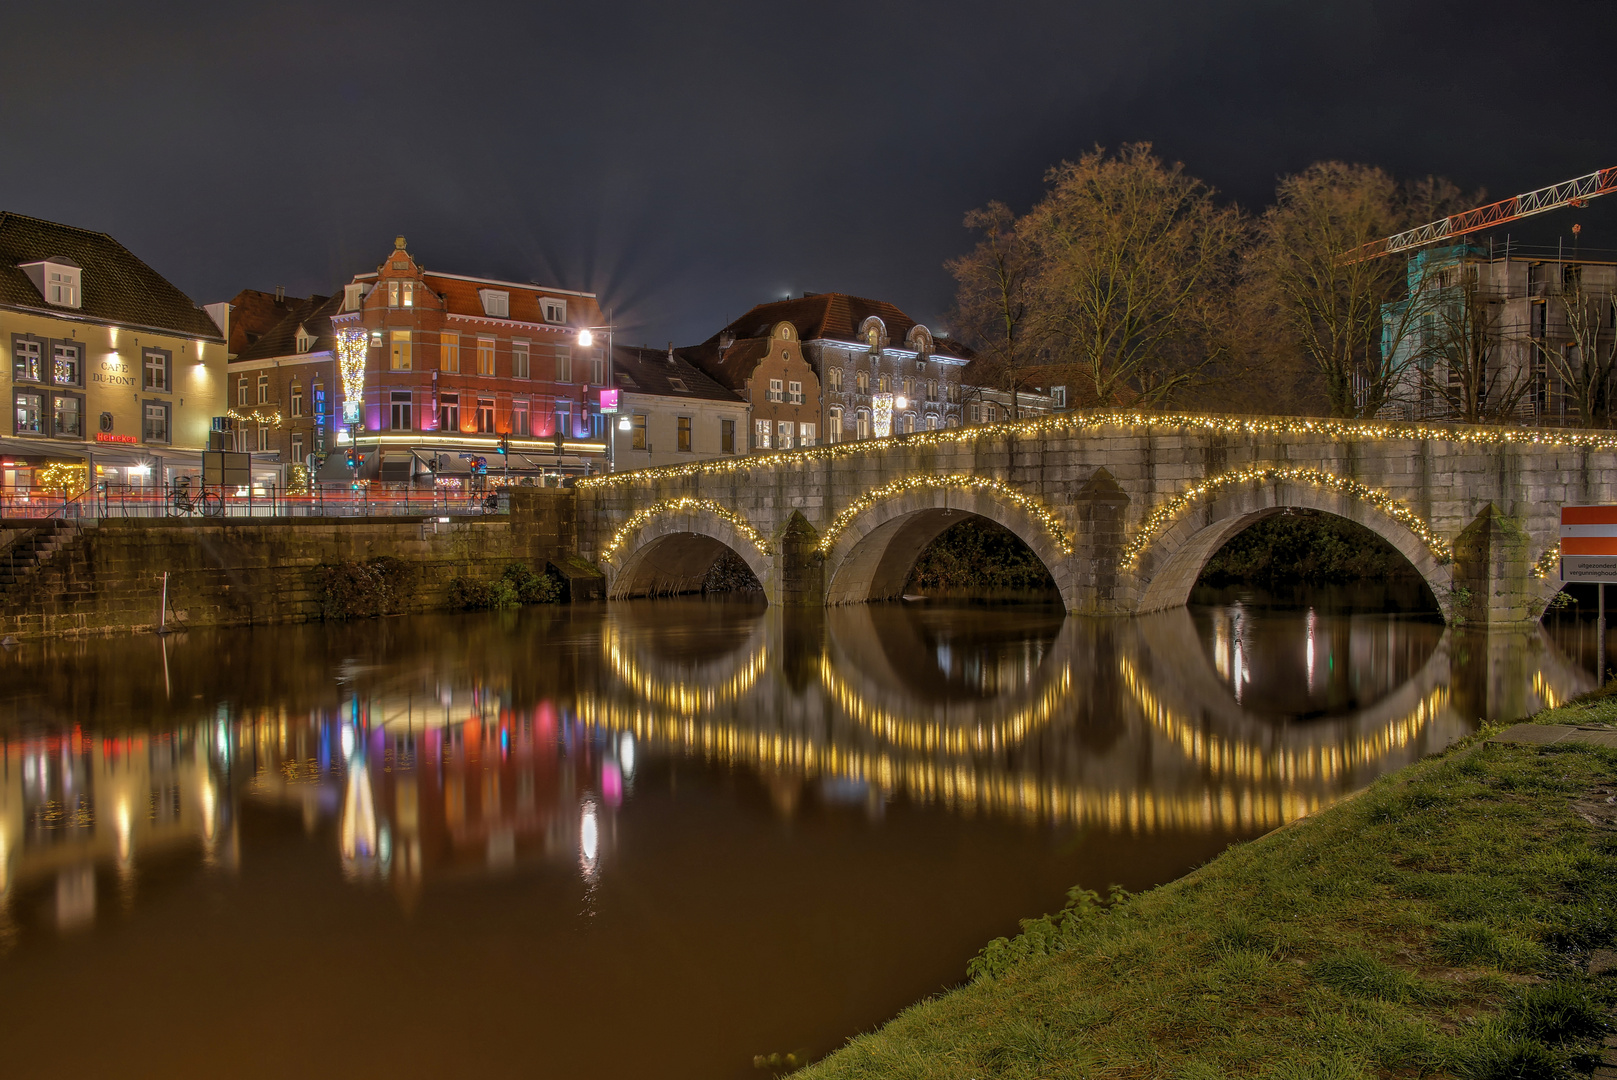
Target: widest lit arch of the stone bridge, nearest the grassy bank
1168,557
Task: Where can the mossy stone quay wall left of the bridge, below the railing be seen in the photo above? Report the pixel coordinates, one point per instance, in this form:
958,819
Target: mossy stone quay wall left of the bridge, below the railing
260,572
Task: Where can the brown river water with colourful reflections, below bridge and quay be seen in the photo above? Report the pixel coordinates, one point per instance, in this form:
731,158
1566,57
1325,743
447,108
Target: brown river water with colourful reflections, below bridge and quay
652,838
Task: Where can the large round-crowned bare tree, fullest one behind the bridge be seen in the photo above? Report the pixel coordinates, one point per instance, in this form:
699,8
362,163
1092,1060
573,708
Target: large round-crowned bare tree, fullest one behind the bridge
1134,271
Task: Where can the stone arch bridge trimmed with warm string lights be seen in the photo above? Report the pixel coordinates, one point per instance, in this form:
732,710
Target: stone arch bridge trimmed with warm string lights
1123,508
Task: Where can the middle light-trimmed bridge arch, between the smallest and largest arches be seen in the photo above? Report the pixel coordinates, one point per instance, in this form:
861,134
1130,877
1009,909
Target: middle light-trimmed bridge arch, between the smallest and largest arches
872,547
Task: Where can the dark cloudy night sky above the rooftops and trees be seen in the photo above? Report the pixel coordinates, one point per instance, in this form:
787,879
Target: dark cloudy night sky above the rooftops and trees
691,161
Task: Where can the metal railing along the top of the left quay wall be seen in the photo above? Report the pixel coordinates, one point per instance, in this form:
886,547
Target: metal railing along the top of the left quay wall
261,500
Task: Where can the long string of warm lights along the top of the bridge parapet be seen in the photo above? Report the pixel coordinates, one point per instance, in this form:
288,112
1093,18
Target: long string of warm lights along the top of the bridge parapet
1081,423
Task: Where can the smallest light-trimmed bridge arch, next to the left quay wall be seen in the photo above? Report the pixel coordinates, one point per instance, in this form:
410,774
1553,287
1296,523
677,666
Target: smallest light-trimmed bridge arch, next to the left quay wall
669,549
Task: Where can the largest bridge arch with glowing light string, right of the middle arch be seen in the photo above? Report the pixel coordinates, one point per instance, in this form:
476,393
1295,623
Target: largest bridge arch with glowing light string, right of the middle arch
1170,563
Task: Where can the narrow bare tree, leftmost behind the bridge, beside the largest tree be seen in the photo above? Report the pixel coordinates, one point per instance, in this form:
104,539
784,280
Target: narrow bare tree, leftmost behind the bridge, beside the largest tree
994,298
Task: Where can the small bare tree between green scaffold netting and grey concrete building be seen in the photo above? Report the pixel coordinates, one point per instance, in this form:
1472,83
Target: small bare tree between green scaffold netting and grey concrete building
1459,356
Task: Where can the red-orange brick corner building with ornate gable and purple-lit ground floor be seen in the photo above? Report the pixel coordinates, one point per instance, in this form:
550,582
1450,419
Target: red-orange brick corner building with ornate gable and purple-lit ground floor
455,363
